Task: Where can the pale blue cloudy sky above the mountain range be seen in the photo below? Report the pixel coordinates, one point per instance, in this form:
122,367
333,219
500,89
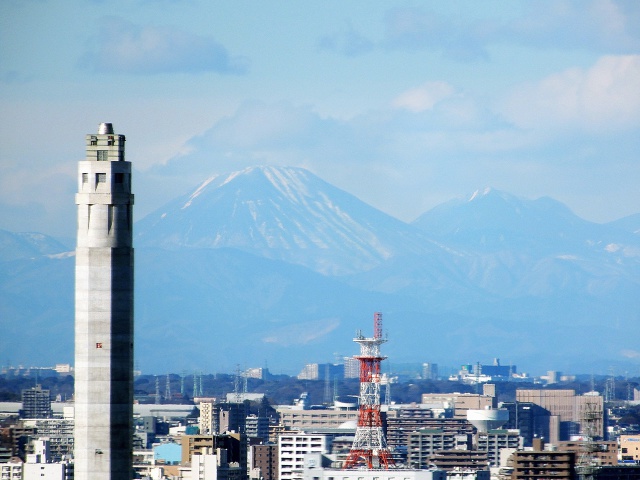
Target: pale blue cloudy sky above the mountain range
404,104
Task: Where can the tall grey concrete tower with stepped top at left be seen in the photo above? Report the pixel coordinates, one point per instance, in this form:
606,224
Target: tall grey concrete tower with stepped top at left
104,311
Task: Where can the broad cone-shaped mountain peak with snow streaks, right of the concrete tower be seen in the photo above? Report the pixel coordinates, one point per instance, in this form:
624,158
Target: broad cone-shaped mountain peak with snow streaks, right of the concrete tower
281,213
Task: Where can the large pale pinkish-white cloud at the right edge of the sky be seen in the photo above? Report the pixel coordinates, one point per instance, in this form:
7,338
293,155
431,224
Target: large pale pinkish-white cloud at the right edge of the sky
604,97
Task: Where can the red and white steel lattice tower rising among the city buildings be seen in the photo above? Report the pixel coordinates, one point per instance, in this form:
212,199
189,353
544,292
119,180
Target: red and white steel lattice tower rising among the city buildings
370,445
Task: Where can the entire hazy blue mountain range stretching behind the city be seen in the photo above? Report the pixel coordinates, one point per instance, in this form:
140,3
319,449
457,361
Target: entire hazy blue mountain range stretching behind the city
274,265
